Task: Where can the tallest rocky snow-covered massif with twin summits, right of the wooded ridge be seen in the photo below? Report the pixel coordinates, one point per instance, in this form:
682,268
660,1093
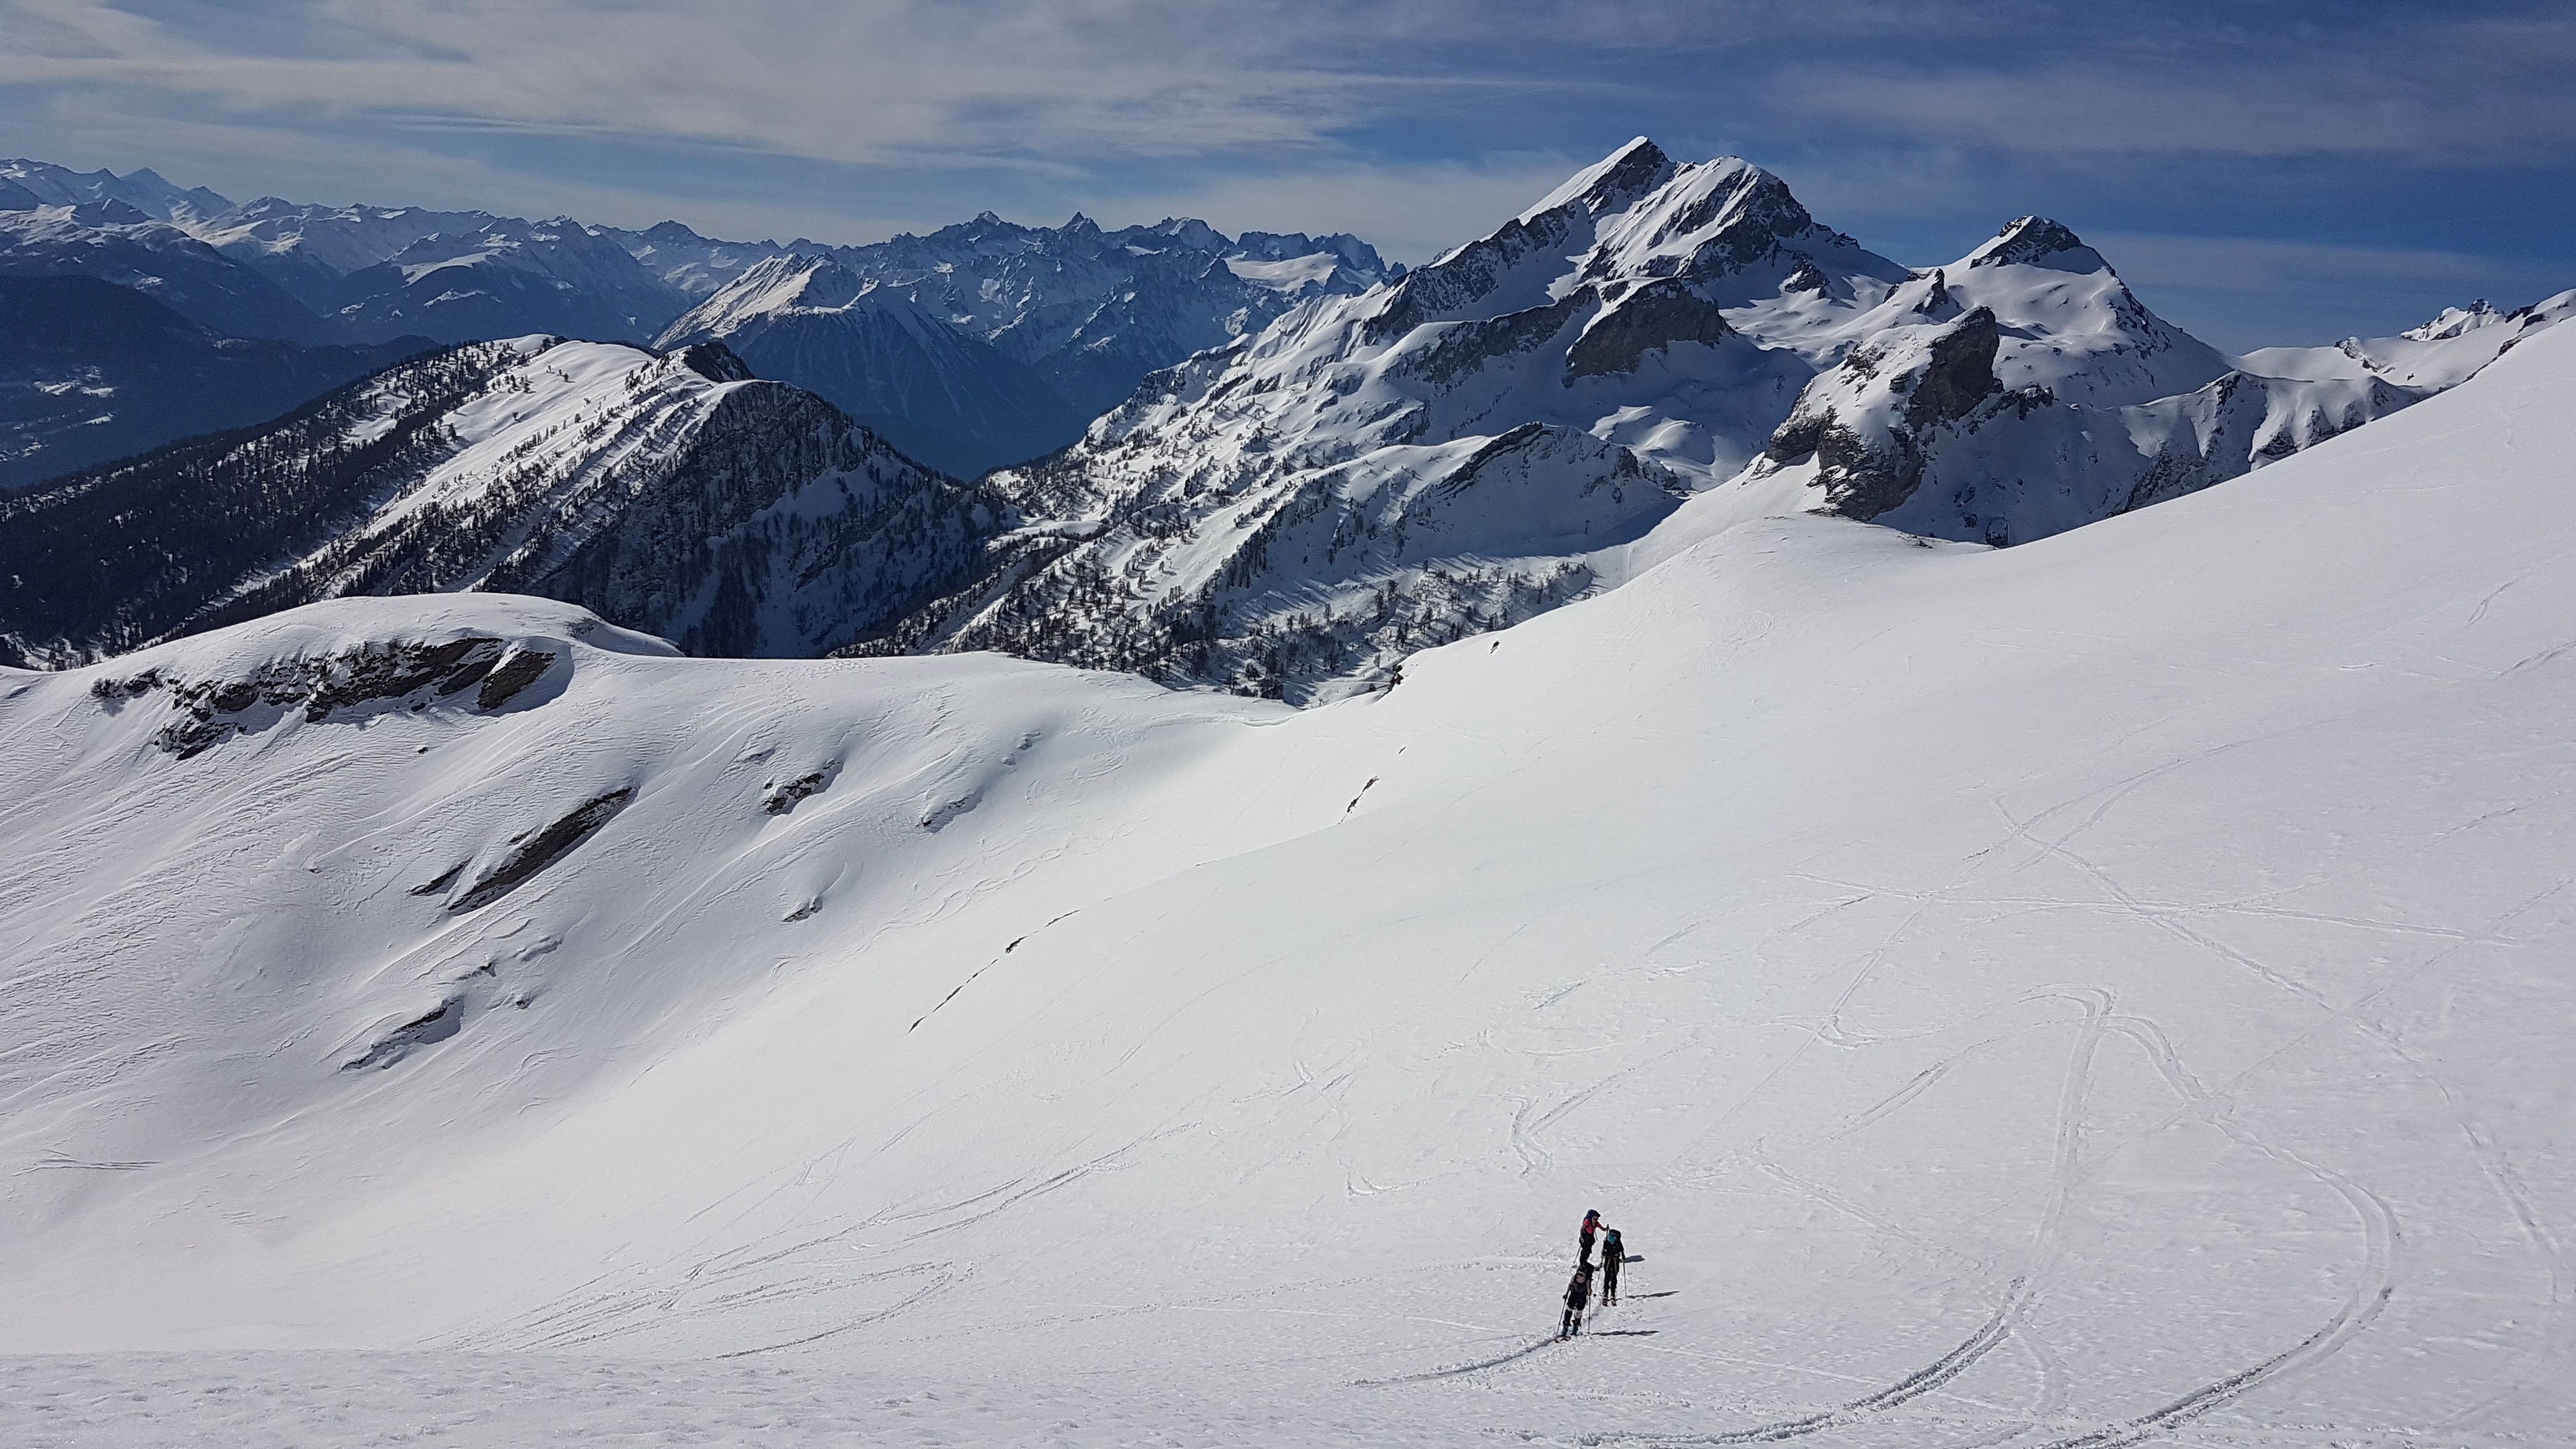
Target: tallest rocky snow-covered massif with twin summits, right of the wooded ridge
1498,432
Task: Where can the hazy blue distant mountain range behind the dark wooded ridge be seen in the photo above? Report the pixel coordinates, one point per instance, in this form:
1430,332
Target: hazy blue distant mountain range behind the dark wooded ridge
985,342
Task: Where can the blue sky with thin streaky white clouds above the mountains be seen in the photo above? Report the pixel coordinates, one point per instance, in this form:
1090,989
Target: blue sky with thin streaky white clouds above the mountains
2260,171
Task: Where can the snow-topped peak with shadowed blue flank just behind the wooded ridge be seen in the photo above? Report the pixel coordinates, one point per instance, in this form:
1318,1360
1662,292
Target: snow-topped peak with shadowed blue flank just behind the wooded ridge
931,391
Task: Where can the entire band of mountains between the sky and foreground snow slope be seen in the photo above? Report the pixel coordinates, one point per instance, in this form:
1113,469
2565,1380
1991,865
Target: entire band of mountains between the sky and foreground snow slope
1346,465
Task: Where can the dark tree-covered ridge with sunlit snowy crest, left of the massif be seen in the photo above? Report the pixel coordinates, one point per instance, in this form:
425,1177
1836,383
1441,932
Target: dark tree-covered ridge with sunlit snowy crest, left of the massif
668,494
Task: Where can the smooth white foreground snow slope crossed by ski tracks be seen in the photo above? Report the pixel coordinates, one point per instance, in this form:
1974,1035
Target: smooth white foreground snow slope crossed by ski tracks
2108,991
